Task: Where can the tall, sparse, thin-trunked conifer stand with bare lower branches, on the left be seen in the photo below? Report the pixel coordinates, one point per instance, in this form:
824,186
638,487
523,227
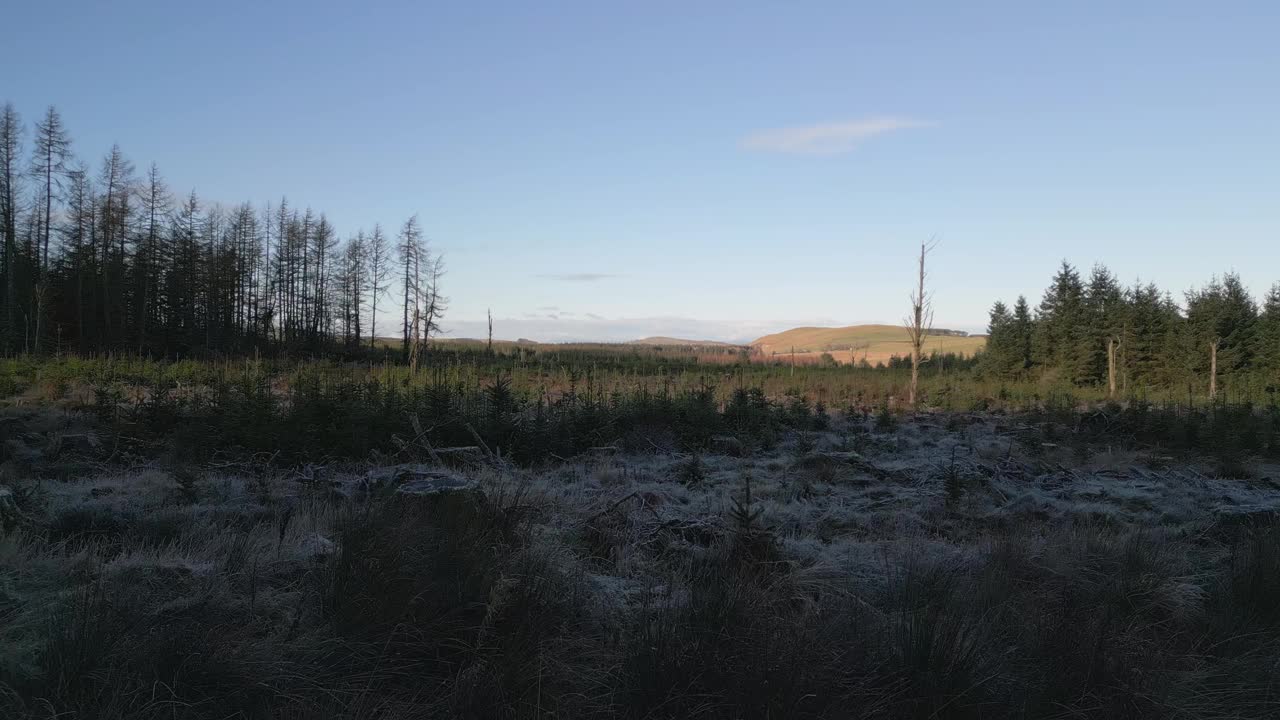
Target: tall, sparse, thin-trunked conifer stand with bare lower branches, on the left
107,261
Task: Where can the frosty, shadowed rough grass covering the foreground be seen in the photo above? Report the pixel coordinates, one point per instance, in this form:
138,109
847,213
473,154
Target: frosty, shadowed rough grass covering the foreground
939,567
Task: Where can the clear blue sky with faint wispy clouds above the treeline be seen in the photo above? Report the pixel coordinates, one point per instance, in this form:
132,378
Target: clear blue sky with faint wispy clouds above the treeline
721,170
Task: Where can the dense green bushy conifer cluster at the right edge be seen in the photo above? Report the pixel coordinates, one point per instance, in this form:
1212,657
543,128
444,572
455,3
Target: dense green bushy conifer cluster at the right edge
1099,332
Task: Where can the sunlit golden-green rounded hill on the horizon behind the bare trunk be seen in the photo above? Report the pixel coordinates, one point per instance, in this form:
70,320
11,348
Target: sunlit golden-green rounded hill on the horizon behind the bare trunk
876,344
